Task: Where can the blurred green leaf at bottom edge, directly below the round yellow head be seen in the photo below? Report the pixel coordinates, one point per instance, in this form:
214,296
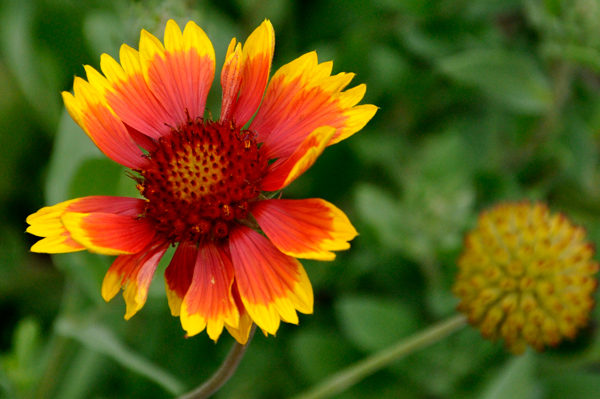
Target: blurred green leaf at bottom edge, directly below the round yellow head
515,381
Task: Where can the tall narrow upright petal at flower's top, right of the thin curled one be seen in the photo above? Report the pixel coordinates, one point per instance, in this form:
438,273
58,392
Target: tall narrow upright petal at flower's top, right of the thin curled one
257,57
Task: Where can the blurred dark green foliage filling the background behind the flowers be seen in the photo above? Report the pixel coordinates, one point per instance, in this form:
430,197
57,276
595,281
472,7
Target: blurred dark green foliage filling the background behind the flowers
480,102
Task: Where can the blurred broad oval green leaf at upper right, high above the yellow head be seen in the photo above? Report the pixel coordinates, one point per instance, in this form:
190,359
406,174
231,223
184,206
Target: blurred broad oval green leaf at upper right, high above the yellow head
512,78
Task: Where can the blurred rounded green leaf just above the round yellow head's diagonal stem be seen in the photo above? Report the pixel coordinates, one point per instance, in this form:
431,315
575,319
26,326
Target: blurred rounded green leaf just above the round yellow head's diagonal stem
372,323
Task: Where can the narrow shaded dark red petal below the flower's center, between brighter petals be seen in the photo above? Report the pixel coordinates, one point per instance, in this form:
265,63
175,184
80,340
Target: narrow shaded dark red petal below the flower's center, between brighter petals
178,275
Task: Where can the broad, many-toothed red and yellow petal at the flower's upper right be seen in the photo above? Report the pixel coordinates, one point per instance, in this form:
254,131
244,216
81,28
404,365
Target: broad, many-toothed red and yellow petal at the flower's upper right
301,97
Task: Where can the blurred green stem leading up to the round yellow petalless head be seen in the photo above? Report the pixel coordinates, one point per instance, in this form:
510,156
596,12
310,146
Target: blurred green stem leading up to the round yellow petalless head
344,379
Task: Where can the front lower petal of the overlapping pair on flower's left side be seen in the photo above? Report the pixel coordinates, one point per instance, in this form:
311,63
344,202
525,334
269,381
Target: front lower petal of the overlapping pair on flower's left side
109,234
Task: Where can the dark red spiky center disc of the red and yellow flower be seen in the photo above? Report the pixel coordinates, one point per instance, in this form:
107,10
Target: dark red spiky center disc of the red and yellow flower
201,178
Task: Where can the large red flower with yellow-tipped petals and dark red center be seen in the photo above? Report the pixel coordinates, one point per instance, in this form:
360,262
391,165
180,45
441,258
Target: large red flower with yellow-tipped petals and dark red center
204,181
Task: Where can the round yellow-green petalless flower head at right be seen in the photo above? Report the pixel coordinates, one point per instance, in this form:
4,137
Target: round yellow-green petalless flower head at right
526,276
